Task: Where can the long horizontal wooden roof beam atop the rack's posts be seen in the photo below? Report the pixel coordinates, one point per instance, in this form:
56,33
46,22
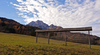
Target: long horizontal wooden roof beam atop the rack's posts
66,29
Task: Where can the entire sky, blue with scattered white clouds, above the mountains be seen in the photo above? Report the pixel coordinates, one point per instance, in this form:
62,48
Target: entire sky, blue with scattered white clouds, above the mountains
65,13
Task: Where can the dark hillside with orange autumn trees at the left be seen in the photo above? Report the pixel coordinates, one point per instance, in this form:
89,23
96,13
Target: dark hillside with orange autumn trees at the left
11,26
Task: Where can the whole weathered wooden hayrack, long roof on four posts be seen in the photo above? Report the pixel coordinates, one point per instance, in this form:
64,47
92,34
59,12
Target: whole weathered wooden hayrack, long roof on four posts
64,30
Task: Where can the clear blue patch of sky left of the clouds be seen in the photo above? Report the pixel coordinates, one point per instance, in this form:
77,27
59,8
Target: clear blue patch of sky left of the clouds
8,10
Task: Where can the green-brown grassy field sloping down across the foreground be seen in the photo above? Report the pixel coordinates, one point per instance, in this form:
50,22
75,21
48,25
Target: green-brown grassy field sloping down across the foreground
17,44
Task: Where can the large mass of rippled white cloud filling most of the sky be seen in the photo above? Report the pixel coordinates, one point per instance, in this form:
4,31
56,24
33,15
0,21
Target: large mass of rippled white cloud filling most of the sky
70,14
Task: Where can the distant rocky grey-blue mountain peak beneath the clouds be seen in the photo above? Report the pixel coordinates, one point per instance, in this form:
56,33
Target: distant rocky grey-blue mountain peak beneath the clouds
43,25
